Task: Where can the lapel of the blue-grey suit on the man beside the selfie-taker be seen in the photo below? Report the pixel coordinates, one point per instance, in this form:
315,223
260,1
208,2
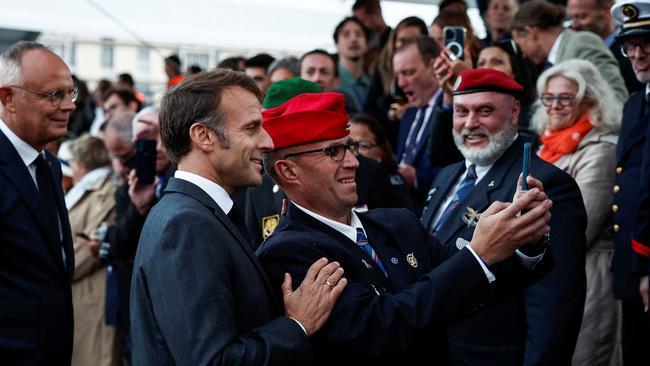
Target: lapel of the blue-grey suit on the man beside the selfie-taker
182,186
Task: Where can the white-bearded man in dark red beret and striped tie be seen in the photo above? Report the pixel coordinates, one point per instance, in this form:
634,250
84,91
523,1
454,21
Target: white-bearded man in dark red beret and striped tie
523,330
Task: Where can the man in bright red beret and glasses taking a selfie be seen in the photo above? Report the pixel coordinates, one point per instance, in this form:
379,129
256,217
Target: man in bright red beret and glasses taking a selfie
400,296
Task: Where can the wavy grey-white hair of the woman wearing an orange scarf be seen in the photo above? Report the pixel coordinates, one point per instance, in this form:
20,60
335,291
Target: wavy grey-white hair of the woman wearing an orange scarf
607,110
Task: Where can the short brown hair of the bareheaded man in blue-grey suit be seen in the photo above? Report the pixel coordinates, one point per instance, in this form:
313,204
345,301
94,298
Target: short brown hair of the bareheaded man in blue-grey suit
198,100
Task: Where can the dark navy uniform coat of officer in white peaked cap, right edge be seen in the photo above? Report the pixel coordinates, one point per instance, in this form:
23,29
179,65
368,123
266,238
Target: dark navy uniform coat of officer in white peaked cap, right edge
627,265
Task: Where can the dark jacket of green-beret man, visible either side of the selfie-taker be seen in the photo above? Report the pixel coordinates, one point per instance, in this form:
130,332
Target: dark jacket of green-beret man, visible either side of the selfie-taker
374,189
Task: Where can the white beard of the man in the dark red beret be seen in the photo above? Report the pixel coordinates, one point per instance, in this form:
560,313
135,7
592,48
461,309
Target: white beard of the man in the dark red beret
498,143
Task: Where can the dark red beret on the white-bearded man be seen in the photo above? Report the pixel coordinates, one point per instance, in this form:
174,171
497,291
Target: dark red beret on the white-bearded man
482,80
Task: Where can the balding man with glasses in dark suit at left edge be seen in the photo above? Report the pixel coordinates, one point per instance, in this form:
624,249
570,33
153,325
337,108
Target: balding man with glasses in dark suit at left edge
37,95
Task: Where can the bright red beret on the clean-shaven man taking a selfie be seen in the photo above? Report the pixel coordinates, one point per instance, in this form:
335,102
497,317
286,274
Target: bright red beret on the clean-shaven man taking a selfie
307,118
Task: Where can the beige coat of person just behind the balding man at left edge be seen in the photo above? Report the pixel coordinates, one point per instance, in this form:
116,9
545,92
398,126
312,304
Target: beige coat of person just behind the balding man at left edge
95,343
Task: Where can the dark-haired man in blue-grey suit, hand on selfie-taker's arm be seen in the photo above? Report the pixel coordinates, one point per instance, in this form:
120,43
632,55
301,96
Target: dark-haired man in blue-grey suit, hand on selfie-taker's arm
199,295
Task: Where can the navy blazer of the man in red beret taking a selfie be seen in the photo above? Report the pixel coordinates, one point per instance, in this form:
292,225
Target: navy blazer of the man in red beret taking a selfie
419,298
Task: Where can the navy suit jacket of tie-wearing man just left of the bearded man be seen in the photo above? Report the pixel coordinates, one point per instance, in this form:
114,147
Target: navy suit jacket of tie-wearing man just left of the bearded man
425,169
